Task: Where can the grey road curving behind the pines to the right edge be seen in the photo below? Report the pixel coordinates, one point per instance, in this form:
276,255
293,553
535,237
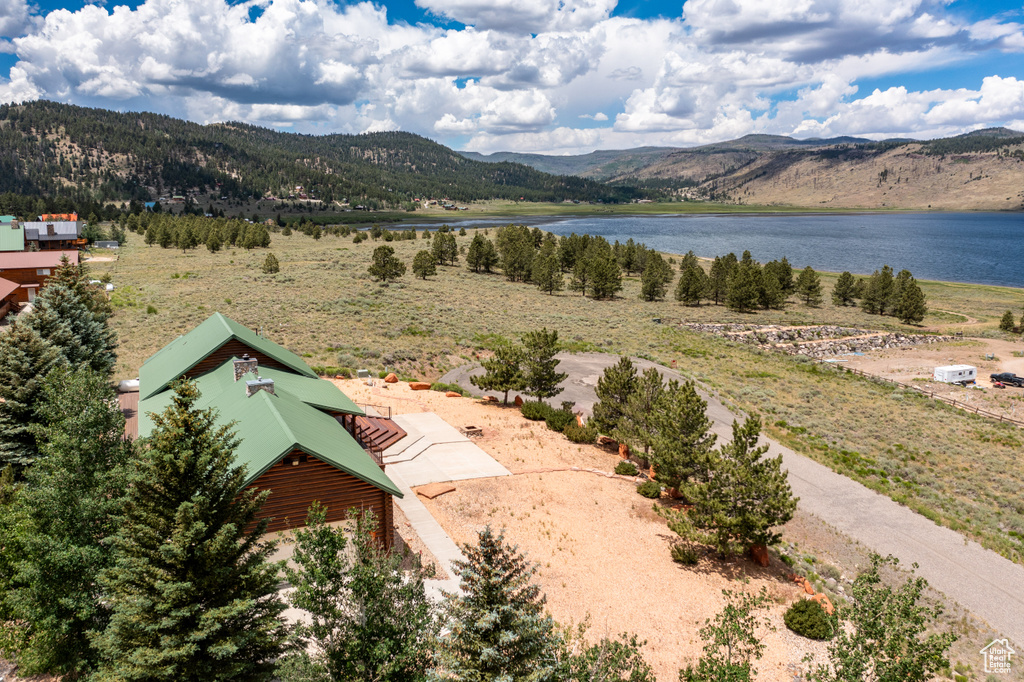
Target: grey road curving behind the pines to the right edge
979,580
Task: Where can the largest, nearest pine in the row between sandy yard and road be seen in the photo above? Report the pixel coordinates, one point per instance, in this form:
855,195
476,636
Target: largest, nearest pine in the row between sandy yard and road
743,501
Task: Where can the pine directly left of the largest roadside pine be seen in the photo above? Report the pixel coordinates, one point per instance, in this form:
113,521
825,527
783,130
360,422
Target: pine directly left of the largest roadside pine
682,448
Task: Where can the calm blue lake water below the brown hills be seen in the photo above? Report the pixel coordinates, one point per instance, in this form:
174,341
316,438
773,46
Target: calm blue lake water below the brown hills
982,248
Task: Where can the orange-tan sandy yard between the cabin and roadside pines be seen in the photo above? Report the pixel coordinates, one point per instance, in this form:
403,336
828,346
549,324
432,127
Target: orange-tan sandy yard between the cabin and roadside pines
602,550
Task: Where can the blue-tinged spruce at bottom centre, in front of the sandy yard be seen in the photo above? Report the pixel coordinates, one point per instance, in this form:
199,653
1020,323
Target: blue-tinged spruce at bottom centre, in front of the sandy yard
498,629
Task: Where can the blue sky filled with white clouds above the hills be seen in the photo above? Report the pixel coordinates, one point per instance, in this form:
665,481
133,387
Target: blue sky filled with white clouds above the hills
562,77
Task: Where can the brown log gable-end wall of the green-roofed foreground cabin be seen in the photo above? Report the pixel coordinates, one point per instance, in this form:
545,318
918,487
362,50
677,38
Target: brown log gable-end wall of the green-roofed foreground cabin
293,489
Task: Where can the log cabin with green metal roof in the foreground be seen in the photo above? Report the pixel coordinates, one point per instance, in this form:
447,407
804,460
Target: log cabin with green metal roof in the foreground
300,437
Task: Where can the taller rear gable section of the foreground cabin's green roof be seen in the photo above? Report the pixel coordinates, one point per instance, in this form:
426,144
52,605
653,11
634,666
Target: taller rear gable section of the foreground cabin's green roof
188,351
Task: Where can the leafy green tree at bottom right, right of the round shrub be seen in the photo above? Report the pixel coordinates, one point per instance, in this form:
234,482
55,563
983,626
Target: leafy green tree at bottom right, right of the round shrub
887,641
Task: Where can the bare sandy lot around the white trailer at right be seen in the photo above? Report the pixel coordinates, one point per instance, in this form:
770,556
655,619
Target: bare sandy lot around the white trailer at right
916,367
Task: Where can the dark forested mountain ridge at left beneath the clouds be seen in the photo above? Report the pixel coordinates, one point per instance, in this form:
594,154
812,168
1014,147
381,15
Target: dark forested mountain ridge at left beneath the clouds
55,150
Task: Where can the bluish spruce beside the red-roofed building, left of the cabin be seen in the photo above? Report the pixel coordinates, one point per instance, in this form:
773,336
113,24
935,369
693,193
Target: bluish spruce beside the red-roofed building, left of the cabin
62,318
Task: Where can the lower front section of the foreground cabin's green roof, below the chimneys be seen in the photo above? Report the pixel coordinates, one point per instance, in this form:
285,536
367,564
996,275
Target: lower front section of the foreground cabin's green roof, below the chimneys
271,427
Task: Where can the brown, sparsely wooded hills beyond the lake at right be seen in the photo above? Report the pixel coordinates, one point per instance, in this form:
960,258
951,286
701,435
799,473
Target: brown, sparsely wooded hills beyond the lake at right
980,170
